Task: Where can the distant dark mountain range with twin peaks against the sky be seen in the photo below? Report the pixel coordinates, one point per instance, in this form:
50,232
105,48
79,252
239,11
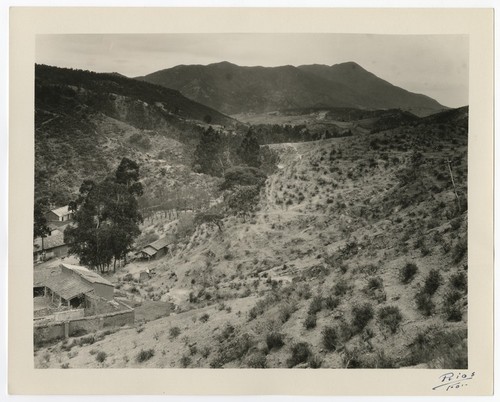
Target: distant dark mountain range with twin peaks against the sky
233,89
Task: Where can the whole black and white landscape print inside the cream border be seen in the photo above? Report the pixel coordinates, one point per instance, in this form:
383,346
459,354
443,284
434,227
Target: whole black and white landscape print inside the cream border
251,201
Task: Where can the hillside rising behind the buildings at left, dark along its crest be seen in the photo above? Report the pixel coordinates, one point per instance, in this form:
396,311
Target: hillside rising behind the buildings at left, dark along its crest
86,122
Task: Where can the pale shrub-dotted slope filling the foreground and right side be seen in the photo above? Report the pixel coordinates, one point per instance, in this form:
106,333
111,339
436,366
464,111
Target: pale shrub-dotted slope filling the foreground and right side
355,257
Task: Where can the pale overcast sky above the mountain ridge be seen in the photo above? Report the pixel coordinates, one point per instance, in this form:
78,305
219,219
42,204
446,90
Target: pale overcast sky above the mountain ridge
434,65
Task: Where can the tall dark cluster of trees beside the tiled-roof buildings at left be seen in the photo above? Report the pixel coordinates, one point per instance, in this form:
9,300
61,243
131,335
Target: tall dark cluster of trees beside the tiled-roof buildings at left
107,217
